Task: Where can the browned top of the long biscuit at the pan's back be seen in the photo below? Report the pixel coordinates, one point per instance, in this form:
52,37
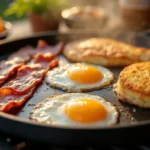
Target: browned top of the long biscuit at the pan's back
107,48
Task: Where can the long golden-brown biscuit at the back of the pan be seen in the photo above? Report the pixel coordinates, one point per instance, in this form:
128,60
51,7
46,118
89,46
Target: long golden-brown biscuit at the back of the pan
105,52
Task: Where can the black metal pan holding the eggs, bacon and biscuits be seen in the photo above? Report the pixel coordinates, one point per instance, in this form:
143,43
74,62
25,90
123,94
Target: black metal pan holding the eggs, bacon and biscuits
133,125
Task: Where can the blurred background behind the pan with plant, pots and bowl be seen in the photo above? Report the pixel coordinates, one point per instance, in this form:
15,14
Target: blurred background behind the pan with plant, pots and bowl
118,19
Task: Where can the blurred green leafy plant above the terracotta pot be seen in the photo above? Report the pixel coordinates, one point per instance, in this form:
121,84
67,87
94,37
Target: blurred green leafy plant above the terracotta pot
21,7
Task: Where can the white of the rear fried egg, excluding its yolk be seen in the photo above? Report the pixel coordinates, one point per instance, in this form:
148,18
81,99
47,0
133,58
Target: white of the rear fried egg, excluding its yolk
58,78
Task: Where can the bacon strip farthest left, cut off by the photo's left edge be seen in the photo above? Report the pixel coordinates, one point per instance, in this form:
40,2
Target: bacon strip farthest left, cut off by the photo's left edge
14,62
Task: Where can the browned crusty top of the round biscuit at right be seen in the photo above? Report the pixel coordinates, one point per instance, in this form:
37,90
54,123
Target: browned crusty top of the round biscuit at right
136,77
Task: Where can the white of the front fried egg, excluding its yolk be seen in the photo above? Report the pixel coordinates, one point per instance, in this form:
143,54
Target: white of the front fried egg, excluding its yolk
49,111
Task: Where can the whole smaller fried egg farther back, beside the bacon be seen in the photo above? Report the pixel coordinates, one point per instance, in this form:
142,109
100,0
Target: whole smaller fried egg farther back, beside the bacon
79,77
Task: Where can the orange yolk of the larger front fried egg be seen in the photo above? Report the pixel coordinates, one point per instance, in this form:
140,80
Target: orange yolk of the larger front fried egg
85,111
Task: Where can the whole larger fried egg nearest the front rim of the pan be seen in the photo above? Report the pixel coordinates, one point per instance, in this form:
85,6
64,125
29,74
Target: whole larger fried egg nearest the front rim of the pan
75,109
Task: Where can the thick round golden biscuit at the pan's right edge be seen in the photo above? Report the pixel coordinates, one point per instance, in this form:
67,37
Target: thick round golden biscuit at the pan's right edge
133,85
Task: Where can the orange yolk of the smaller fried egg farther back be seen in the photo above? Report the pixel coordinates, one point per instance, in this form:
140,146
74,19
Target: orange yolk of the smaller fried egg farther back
85,74
